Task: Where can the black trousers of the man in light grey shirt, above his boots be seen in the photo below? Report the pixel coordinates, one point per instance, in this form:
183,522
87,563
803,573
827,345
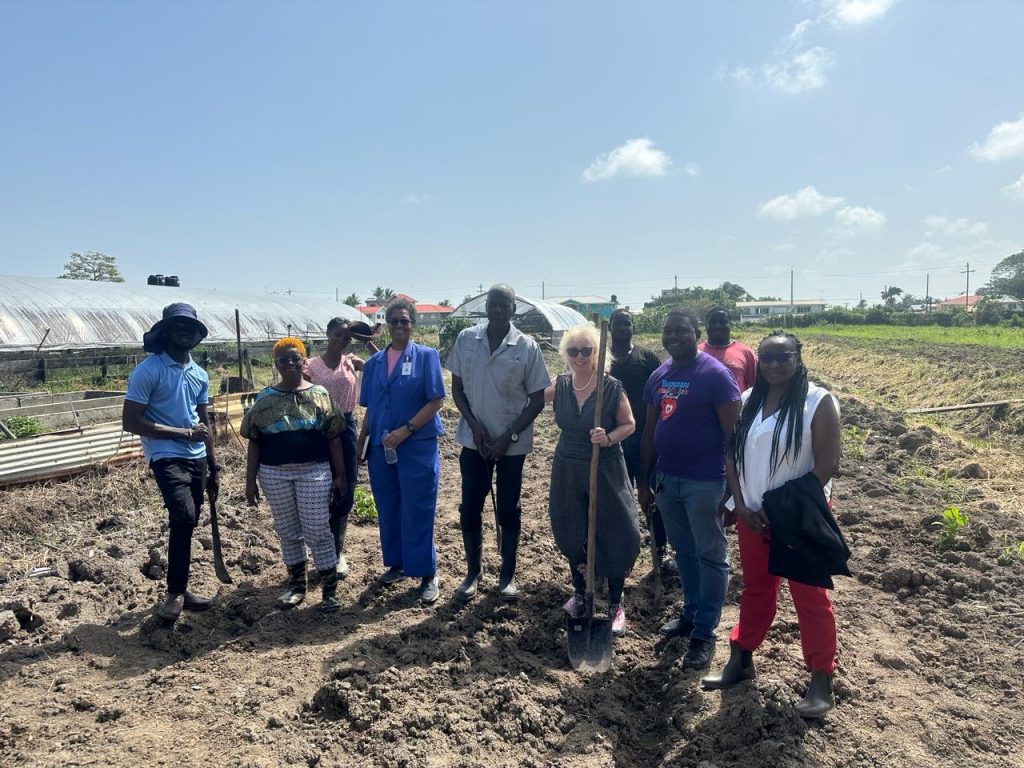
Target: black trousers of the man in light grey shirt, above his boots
477,474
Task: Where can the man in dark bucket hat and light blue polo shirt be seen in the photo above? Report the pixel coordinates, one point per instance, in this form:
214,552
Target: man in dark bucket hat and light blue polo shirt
166,406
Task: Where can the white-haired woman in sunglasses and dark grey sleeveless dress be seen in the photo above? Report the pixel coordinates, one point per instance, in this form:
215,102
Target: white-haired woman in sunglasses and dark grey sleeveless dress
618,530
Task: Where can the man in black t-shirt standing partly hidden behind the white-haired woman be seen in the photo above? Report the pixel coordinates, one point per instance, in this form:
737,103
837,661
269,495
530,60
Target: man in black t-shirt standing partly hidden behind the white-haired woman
633,366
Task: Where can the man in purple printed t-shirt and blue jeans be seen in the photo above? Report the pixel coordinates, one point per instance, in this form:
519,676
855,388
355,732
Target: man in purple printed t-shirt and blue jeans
694,403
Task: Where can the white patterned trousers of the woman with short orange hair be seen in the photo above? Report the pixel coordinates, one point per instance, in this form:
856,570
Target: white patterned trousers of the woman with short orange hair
300,497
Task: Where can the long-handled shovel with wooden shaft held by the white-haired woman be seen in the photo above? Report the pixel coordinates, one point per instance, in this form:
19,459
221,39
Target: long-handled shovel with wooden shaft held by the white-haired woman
590,638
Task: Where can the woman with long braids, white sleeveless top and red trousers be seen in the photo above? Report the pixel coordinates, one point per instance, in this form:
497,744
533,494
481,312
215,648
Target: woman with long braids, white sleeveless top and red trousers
789,429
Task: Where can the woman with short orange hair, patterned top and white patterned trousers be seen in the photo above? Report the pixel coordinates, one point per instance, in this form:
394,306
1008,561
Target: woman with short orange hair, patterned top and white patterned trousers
293,431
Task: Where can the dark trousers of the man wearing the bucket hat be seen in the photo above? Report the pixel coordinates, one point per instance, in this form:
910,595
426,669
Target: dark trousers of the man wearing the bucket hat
182,483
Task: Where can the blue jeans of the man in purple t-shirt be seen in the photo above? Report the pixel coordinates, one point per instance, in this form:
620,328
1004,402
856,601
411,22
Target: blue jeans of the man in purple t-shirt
690,509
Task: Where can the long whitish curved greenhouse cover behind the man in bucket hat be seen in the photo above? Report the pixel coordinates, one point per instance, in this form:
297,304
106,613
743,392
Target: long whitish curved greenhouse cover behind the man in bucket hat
84,314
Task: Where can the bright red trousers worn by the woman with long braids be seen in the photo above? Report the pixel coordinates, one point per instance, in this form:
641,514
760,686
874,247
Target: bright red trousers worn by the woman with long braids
760,600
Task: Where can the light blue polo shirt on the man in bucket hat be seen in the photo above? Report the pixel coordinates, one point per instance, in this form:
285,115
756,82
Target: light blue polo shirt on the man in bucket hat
172,393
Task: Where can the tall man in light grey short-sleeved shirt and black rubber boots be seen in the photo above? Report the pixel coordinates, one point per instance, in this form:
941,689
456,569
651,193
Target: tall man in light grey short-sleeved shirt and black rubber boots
498,383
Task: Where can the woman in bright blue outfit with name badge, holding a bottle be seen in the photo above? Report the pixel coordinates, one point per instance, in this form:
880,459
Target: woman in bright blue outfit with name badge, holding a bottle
403,392
